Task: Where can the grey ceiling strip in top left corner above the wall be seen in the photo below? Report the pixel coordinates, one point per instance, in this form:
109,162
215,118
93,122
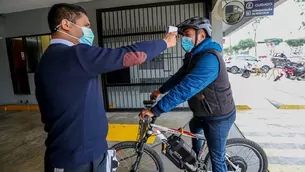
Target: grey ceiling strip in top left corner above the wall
10,6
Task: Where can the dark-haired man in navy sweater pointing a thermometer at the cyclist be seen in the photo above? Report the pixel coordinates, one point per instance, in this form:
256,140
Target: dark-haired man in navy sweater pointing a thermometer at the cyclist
68,90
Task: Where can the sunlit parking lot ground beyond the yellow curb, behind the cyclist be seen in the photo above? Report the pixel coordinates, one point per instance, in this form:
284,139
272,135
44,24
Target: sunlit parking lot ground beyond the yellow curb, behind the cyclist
263,93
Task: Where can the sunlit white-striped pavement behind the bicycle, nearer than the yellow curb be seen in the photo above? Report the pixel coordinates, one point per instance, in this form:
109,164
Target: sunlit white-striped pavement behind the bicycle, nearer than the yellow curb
282,135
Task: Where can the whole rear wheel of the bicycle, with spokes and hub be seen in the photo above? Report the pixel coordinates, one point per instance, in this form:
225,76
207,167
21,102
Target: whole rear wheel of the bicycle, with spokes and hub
241,158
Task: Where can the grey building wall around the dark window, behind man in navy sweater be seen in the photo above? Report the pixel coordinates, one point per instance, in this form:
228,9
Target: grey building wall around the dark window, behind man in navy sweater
35,22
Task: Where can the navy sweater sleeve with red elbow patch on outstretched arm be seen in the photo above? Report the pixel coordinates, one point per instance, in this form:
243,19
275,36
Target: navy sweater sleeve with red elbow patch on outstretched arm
96,60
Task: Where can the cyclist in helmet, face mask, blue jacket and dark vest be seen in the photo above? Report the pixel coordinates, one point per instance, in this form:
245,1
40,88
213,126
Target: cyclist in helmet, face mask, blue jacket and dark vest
203,82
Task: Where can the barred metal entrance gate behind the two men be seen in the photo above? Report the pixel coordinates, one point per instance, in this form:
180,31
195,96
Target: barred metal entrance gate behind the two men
127,88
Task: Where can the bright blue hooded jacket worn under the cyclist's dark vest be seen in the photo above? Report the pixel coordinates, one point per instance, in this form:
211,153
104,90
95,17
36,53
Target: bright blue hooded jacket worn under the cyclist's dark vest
181,88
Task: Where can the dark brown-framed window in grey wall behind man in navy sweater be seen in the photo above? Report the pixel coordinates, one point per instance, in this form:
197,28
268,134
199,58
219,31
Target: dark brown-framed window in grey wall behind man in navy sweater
24,54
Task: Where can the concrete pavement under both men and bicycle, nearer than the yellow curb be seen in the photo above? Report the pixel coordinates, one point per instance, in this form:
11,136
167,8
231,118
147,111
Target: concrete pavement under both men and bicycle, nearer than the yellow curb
280,132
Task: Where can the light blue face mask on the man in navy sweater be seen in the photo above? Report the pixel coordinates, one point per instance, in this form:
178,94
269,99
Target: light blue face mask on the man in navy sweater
87,37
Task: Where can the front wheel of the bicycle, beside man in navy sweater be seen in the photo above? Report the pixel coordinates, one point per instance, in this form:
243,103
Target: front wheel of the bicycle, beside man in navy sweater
126,155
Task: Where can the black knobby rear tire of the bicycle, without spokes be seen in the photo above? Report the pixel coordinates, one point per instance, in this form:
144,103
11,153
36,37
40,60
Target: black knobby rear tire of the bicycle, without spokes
243,141
